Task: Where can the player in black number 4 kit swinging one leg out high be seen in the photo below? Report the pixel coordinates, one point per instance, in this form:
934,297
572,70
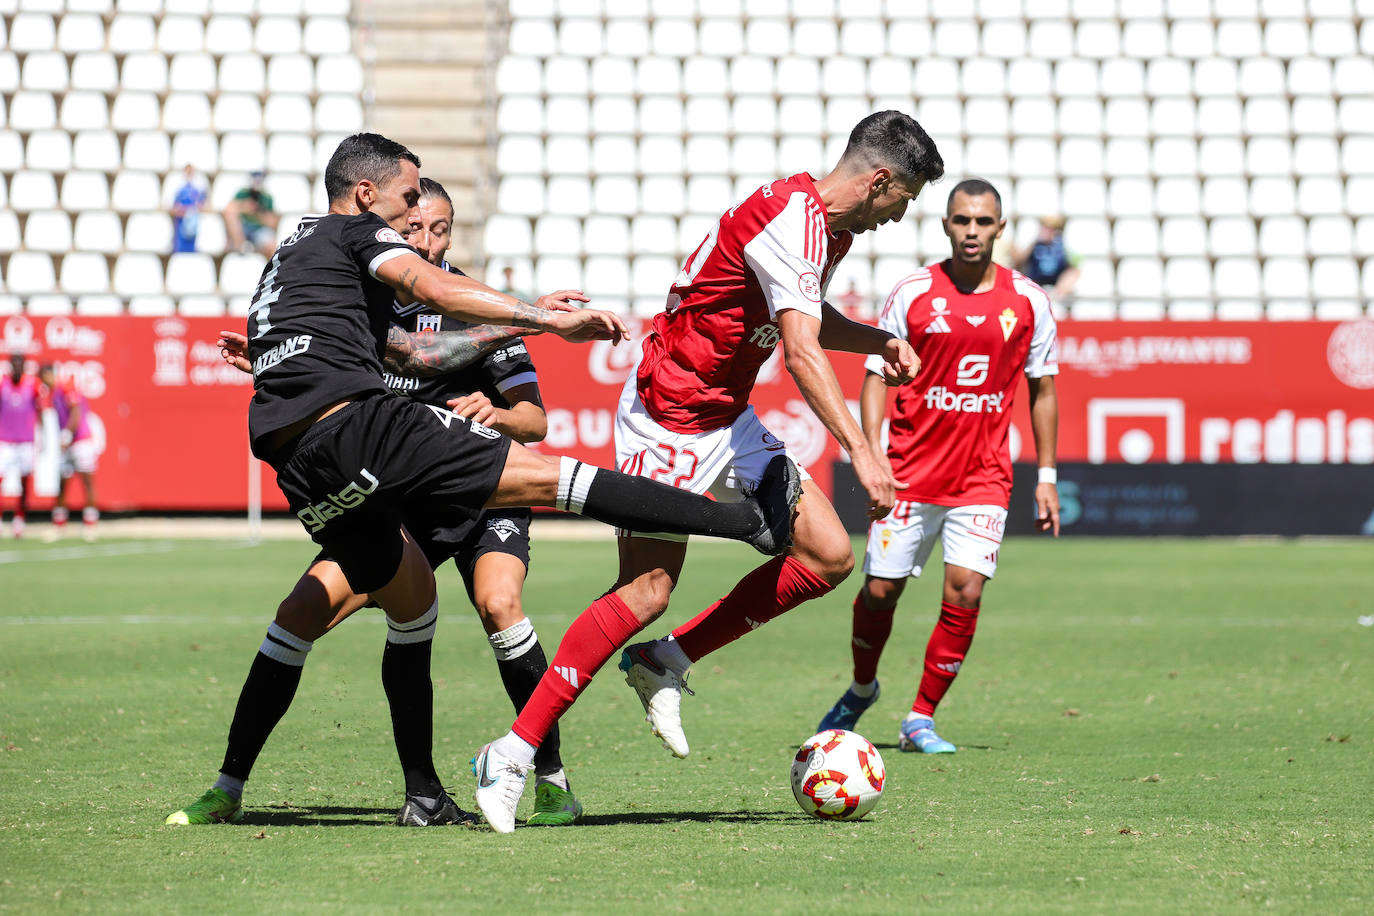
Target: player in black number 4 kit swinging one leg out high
354,461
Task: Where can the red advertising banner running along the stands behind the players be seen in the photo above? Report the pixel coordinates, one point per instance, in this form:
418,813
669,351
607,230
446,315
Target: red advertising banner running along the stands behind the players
174,418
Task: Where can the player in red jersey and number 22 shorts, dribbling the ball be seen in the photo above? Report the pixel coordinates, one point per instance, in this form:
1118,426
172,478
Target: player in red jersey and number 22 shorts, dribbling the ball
756,281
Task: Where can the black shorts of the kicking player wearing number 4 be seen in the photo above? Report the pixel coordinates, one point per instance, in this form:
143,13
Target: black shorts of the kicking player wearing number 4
354,479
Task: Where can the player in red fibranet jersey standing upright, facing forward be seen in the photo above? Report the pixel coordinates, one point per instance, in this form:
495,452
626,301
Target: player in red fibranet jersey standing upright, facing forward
976,328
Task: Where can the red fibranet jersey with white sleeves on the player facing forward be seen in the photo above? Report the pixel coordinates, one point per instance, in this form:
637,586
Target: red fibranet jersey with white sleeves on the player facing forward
947,433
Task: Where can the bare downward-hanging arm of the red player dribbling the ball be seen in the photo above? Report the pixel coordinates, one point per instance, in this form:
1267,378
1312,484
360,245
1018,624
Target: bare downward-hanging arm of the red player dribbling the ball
807,363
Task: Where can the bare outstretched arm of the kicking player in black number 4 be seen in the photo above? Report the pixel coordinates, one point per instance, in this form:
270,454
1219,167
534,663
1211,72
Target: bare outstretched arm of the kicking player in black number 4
465,299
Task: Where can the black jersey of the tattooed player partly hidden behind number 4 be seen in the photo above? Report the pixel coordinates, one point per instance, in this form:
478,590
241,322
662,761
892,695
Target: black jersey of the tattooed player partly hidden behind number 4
495,374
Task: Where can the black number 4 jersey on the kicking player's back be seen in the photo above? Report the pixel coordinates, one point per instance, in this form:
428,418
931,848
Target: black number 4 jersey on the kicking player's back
318,321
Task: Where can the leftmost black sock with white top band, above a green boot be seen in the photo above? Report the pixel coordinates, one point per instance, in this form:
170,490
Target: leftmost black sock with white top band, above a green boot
266,697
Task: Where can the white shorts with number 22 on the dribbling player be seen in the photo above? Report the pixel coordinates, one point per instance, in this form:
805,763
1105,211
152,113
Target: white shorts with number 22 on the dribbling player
726,463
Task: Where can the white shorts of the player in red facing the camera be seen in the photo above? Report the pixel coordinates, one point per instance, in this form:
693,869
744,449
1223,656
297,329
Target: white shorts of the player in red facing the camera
901,545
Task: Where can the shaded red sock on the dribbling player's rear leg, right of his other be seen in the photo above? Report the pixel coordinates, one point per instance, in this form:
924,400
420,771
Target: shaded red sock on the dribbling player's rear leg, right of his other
774,588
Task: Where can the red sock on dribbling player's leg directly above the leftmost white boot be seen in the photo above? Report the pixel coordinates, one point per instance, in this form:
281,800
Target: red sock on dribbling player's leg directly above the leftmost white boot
596,635
